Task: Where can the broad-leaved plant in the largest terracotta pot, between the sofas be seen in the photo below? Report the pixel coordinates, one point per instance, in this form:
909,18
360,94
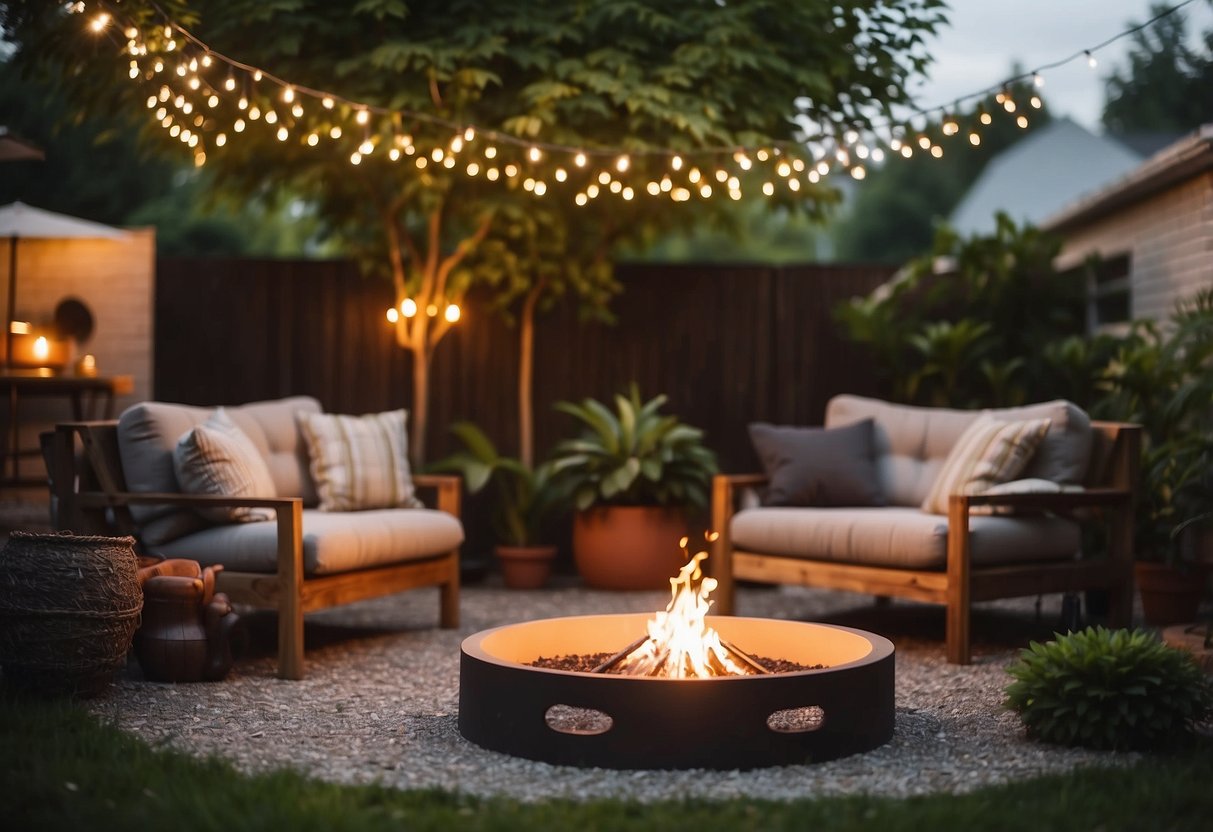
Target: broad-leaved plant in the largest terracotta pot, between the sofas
631,477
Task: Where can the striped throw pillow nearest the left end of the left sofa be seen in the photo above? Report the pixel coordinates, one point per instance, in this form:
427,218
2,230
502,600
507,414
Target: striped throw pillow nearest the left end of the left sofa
218,458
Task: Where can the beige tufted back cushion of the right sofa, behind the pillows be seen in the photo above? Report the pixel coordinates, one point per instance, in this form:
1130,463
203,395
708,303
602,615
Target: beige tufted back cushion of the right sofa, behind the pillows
913,443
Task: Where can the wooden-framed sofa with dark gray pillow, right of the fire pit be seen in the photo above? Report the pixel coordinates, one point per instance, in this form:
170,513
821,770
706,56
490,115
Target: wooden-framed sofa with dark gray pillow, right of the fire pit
882,502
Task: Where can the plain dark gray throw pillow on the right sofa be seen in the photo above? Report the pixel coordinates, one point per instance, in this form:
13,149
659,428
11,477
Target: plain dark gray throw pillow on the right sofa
819,466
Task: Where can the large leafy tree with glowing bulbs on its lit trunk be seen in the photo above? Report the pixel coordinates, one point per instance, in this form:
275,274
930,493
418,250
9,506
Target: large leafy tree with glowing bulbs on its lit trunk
392,116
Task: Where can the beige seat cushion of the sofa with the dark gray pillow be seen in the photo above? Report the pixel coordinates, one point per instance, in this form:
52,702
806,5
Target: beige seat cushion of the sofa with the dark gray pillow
898,538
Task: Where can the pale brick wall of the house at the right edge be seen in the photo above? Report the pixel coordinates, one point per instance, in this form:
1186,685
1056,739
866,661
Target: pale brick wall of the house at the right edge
1169,238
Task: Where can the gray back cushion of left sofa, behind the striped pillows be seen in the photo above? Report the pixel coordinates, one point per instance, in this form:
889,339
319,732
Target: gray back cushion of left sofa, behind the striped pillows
149,434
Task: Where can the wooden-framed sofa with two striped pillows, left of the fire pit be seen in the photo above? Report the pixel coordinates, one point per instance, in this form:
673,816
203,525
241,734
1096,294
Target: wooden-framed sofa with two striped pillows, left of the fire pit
284,543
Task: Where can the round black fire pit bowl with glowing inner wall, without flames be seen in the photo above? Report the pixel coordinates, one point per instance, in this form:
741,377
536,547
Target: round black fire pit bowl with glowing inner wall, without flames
737,722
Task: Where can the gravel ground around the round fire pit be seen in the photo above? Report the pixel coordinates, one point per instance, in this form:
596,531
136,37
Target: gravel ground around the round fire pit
381,698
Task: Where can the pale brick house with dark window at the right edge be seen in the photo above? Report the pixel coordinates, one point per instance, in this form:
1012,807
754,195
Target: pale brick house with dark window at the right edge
1153,230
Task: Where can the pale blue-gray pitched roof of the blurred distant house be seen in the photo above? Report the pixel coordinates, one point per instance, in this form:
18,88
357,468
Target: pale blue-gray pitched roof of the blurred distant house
1040,175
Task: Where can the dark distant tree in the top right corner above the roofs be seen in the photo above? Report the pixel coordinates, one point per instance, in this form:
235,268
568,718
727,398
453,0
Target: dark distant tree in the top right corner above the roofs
1166,86
